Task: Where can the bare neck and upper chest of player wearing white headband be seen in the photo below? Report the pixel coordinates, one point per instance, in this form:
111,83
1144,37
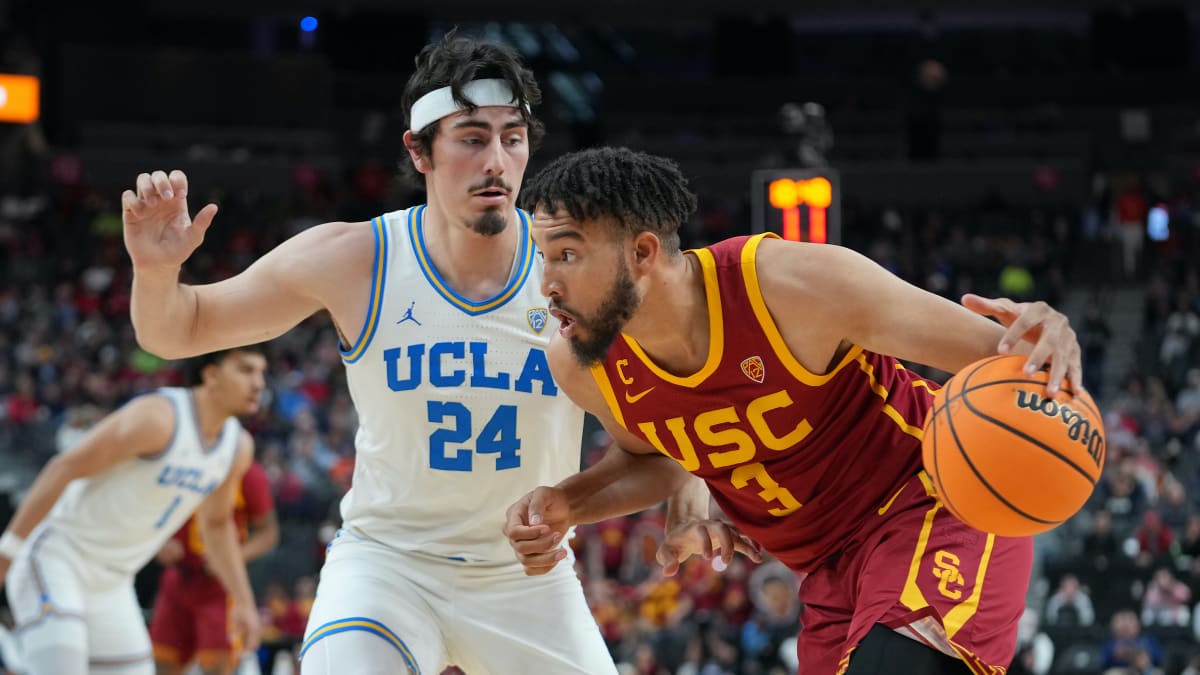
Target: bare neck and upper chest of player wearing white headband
473,265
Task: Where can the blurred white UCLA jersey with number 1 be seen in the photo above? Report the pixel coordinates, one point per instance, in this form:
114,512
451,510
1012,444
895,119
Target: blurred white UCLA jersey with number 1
124,516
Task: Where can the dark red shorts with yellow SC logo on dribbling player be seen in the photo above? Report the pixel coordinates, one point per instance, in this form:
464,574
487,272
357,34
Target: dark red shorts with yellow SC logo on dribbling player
921,572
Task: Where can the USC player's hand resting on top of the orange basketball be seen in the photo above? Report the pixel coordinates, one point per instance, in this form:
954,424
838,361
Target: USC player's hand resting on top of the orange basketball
1053,338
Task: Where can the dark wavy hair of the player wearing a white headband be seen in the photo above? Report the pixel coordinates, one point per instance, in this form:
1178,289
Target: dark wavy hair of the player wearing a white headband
455,62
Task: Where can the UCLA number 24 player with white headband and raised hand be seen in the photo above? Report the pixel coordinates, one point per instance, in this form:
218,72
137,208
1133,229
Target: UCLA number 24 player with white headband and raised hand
443,327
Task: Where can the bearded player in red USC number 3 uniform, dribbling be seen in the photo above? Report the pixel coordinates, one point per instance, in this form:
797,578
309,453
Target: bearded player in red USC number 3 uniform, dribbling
770,369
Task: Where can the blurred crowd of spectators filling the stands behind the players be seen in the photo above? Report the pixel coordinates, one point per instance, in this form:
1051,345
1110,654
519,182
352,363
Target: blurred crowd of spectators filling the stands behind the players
1118,587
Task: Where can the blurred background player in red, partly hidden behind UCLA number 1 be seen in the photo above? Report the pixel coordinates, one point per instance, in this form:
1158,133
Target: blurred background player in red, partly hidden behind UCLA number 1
191,613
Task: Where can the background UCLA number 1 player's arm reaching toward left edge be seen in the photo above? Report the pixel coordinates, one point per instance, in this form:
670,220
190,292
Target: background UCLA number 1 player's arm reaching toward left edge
143,427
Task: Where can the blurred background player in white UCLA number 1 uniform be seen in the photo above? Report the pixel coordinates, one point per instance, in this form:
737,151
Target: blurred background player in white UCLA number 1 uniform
100,512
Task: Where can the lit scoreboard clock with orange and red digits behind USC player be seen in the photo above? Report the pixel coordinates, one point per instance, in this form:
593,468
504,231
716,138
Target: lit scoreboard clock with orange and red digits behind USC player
799,205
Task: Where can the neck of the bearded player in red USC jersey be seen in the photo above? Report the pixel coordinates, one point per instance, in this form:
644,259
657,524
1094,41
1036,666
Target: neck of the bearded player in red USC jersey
673,324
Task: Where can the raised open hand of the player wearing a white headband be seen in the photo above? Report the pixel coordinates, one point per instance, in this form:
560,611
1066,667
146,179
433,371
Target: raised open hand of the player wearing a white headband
159,234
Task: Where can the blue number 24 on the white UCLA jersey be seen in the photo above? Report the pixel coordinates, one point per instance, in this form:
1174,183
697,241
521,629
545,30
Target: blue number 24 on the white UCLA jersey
499,438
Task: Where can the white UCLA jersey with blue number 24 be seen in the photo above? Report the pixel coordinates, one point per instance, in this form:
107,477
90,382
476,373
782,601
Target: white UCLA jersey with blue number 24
459,416
